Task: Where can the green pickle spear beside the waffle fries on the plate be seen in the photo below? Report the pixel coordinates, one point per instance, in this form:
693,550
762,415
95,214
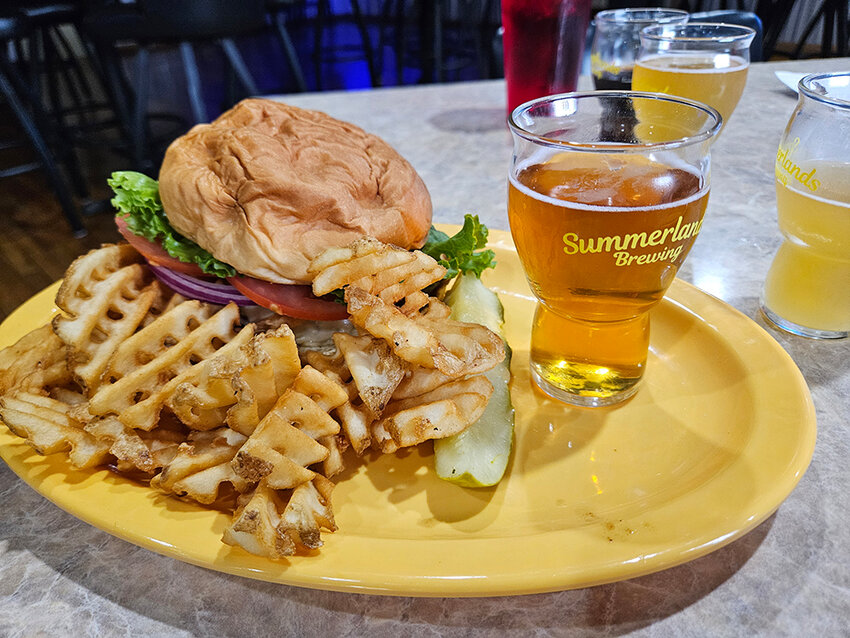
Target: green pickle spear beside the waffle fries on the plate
478,456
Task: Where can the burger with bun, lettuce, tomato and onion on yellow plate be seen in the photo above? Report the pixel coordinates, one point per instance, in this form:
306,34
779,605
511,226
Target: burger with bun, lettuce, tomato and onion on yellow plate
243,204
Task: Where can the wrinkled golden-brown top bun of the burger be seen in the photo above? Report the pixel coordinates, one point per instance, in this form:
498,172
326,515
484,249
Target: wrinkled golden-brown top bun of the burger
267,186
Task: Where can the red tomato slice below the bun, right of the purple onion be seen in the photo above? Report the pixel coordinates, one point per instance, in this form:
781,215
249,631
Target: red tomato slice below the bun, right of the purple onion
289,299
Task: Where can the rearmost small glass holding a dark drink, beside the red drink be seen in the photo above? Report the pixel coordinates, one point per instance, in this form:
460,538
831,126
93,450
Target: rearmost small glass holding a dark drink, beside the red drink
616,40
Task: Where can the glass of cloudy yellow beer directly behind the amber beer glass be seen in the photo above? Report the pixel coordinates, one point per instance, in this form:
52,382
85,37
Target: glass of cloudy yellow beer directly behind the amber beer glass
701,61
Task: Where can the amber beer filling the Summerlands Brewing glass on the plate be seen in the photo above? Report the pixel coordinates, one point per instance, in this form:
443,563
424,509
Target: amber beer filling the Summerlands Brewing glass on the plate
601,237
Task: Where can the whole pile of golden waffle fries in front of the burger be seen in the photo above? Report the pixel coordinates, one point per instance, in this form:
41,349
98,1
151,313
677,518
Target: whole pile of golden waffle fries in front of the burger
174,392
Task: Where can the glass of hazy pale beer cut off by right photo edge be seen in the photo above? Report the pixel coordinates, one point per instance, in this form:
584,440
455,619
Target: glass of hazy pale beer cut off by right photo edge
807,290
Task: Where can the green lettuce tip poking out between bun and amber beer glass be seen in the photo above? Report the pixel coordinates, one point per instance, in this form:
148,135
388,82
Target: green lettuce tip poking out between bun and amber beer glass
461,252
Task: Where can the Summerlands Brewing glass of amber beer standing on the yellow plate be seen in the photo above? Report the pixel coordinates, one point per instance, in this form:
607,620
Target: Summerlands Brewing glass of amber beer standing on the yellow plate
601,224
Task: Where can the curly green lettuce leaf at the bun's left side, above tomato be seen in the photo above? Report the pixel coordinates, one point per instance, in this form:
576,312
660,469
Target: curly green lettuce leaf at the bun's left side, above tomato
137,201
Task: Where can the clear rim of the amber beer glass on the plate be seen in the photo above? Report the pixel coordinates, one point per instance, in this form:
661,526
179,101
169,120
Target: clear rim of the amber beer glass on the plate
616,147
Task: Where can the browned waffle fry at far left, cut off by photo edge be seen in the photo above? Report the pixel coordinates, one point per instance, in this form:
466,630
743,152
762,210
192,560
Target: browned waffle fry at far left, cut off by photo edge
37,360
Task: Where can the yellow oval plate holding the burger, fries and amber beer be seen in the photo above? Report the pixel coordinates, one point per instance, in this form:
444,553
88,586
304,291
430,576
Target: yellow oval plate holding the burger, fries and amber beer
718,435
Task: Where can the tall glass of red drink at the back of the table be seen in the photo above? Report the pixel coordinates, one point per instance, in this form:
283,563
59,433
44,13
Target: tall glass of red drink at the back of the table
543,42
